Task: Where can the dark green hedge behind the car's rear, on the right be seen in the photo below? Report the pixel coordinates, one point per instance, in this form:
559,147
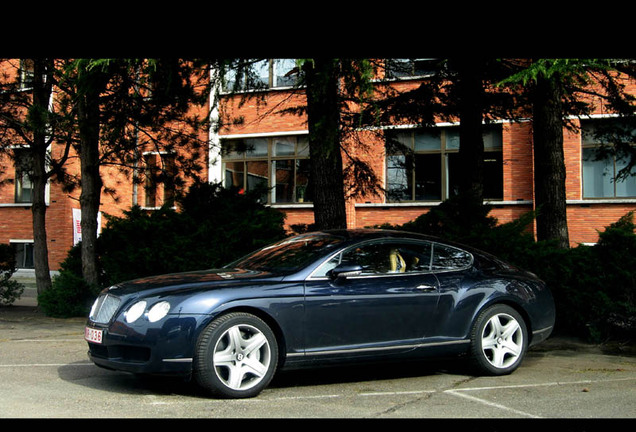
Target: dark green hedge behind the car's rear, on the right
594,287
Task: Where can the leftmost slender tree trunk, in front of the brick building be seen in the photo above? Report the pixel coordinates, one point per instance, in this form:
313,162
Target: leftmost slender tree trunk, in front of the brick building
38,118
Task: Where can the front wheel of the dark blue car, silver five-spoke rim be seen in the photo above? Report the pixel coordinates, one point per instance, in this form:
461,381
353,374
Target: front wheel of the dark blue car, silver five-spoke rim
236,356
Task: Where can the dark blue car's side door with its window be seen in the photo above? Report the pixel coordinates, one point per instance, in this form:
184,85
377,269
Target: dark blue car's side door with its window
387,306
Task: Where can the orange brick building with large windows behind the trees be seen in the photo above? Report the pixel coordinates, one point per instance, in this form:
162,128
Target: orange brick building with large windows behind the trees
277,157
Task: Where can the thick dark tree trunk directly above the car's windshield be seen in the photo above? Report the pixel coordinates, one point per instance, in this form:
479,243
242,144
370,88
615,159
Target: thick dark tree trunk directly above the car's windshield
326,173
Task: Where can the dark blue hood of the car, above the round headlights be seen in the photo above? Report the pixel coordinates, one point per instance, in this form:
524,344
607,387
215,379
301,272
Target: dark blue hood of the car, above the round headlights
193,280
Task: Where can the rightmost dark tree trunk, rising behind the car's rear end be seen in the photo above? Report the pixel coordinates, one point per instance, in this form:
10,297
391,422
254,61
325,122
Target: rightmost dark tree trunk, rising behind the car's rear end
549,163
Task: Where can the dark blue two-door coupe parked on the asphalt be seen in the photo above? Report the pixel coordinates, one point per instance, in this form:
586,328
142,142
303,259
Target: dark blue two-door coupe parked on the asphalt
320,298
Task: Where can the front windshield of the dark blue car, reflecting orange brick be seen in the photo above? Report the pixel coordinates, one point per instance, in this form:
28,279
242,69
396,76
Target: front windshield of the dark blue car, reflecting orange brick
289,255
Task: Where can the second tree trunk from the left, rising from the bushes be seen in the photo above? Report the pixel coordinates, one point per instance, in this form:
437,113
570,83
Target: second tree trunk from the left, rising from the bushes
91,182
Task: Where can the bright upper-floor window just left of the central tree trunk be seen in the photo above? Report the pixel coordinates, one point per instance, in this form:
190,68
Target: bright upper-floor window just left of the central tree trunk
261,74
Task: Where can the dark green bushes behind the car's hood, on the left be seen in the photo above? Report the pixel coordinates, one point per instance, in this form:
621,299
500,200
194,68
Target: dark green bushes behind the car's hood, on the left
215,227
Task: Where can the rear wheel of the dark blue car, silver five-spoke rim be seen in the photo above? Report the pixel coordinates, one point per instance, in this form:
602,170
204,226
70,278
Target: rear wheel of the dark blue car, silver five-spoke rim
499,341
